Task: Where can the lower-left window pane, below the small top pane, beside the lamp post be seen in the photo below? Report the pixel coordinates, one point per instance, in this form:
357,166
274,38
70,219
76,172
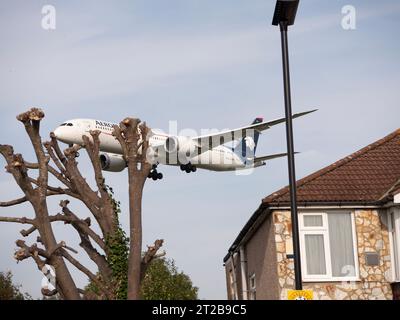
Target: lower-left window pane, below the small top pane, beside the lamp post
315,254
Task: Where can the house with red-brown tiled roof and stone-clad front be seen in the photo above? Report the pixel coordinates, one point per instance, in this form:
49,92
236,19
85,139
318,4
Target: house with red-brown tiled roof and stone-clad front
349,225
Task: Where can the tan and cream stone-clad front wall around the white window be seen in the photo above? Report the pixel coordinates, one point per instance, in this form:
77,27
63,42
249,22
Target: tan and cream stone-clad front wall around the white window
372,236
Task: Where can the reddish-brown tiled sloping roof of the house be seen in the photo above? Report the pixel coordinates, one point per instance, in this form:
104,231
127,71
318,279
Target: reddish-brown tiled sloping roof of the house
367,175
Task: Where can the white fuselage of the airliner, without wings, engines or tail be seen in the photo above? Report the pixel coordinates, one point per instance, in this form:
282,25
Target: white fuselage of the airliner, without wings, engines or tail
220,158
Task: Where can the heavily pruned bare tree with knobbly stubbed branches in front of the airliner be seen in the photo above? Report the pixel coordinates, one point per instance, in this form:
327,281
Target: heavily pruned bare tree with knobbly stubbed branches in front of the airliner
99,246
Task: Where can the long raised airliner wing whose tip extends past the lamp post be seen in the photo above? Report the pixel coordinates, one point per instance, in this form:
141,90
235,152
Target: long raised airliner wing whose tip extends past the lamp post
210,141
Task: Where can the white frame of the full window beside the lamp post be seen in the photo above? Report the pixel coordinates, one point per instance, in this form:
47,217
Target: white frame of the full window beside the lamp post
324,231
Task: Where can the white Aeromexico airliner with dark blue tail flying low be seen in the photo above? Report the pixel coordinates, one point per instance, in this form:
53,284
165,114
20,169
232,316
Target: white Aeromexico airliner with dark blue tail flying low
208,152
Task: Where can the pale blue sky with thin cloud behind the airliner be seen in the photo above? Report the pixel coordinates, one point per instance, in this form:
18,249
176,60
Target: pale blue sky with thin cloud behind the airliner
204,64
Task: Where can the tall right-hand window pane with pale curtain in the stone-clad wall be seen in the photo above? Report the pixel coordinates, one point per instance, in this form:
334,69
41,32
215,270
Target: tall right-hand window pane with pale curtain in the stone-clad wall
341,243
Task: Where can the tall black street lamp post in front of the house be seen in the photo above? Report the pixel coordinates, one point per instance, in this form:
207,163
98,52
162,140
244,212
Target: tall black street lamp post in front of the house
284,16
